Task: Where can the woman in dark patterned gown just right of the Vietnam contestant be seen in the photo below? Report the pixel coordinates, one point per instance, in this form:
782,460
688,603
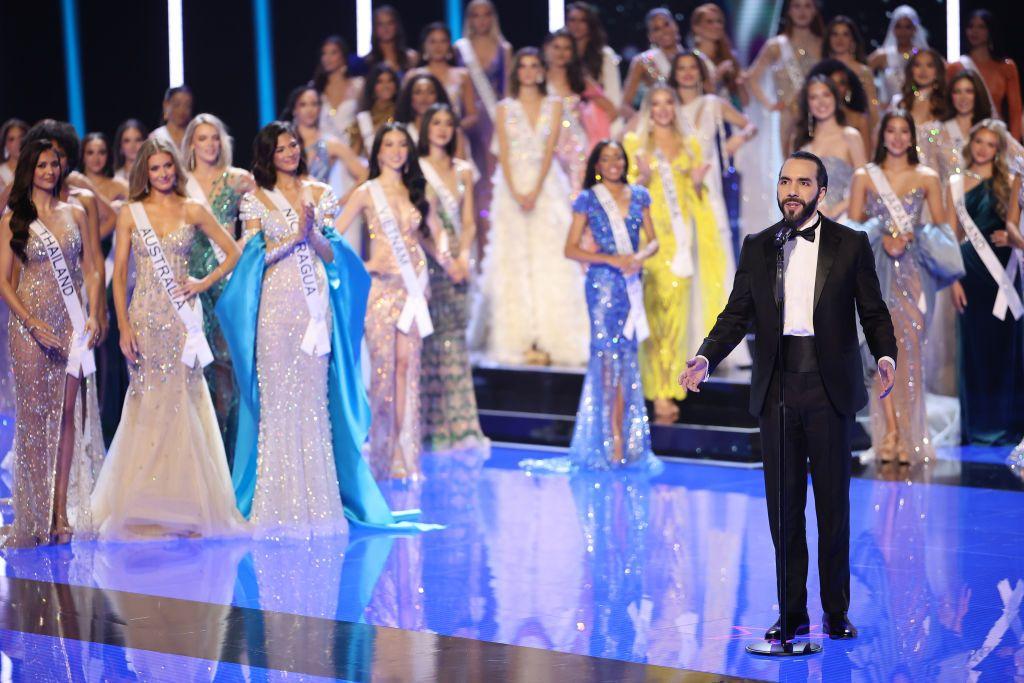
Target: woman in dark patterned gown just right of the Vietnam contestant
448,403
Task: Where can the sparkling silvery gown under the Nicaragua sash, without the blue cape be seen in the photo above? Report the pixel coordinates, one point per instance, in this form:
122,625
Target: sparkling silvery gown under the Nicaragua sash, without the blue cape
296,491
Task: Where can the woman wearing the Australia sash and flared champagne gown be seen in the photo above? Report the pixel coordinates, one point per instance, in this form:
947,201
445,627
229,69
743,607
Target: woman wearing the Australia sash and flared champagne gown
166,474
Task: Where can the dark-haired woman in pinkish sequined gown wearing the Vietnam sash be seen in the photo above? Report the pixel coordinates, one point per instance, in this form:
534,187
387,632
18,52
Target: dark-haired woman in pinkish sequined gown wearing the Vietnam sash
395,205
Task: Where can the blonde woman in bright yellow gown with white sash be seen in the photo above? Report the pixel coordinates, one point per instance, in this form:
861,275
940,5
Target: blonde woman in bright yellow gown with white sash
682,304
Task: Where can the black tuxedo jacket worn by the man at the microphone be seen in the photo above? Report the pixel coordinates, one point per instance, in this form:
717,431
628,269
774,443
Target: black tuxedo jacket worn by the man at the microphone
845,281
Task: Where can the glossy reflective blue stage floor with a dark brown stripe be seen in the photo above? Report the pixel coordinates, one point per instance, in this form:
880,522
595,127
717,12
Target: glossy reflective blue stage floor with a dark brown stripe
672,573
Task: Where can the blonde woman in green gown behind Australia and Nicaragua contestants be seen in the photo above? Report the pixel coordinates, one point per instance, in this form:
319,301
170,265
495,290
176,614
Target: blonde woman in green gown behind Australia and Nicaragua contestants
218,187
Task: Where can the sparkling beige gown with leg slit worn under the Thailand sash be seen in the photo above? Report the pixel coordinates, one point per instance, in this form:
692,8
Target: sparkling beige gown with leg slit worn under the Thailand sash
40,377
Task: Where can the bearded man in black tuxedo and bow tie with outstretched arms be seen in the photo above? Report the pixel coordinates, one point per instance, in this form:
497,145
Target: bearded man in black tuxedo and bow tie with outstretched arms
829,279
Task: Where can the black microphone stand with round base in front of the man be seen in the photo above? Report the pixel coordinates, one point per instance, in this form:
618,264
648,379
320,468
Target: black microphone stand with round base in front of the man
784,648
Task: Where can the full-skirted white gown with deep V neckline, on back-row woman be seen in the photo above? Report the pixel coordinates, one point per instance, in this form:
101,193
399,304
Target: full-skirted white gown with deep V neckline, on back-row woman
534,292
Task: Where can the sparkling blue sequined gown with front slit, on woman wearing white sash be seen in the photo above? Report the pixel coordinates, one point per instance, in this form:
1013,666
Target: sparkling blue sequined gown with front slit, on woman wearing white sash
612,389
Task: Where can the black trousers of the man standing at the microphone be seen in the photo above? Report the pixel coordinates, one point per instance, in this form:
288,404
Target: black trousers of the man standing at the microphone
818,436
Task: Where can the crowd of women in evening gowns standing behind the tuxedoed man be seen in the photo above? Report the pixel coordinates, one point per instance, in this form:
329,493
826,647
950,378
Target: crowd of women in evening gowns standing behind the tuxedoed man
464,197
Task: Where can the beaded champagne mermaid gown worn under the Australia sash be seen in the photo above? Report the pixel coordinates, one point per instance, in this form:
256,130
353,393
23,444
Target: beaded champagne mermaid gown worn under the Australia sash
166,474
